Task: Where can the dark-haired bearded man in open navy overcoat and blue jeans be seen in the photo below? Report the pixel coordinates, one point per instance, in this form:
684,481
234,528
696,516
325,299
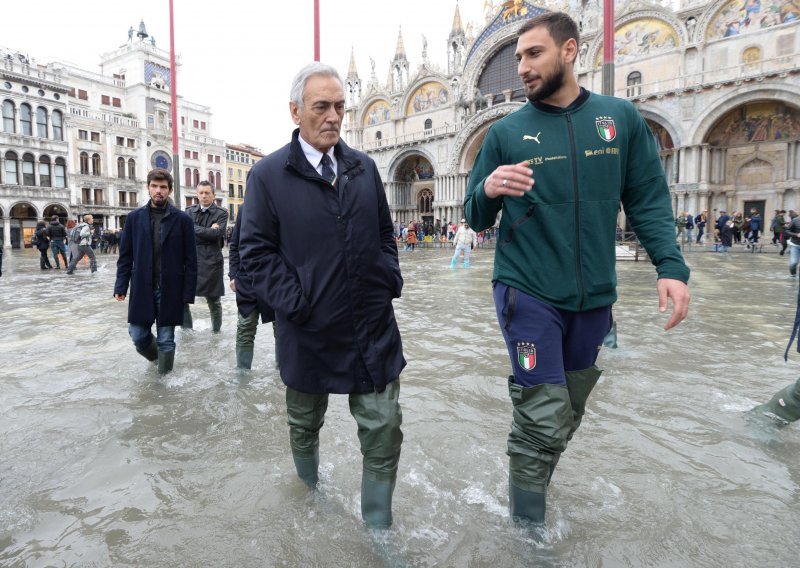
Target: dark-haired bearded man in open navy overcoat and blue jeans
157,258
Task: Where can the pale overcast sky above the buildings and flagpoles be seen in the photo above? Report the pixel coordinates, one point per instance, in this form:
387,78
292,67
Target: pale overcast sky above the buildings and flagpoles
239,56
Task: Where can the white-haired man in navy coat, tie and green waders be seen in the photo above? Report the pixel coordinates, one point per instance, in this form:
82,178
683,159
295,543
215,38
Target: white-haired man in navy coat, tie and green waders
316,238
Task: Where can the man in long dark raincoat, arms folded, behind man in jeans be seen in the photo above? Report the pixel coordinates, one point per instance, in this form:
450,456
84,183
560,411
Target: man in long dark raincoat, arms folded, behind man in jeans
210,223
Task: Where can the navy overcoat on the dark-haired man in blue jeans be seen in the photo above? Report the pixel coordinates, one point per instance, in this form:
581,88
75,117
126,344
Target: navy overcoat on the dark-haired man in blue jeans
178,266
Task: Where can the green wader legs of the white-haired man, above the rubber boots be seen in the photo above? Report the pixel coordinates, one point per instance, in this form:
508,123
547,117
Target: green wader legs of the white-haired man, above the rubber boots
378,416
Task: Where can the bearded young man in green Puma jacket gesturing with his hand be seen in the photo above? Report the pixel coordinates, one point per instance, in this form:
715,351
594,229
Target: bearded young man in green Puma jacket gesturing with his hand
567,158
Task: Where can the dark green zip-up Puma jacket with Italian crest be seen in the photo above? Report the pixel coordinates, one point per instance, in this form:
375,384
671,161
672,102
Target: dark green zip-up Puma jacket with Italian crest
557,242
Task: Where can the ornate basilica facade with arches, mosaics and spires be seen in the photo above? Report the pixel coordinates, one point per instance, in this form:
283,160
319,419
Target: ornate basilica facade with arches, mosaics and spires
718,83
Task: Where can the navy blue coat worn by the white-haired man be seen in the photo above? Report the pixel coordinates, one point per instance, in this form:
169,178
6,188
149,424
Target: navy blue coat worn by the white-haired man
325,260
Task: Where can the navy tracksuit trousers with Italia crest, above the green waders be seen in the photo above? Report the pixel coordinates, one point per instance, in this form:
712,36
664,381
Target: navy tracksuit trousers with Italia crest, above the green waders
544,342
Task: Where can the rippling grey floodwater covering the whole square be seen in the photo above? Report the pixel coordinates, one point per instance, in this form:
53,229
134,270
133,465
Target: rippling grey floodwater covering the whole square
105,463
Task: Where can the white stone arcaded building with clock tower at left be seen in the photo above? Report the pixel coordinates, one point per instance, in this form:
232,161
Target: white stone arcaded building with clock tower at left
75,141
